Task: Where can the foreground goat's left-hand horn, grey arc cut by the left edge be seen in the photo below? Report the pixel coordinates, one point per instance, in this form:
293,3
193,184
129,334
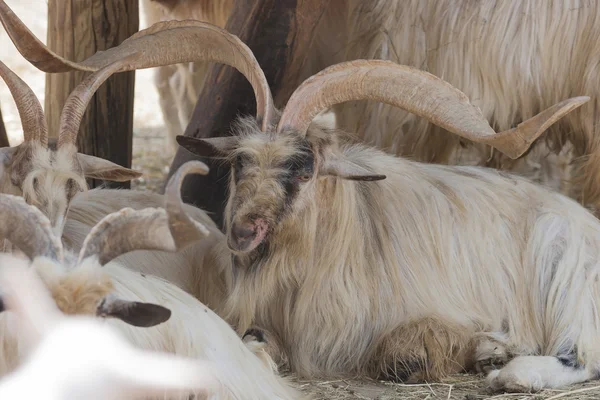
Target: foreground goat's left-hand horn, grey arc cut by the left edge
28,228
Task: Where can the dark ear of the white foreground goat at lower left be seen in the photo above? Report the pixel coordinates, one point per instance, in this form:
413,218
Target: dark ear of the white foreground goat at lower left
133,312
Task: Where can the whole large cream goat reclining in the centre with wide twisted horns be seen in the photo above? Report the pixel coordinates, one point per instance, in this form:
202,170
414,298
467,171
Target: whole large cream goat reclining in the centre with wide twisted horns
287,294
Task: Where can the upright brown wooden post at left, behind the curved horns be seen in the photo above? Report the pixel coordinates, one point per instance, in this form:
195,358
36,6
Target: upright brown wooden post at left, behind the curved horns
76,30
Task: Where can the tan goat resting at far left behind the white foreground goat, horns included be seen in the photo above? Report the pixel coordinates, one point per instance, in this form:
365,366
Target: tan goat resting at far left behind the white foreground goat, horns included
88,207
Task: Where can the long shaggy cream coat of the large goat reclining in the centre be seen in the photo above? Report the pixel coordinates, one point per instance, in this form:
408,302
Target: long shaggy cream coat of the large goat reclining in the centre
473,247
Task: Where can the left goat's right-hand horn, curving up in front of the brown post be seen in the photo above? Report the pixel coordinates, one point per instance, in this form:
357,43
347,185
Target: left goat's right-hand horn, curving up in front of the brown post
78,100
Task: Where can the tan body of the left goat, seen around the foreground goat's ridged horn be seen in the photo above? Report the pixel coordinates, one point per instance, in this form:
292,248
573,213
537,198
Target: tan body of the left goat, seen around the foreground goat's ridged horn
201,269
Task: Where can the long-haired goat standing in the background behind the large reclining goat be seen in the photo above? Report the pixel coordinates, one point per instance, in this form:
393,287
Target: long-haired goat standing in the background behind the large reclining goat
466,44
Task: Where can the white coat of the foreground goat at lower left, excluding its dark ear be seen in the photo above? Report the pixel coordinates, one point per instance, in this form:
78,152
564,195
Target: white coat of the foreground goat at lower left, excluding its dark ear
193,331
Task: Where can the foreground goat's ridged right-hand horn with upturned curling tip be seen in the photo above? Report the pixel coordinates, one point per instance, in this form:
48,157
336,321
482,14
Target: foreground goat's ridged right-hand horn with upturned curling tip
148,229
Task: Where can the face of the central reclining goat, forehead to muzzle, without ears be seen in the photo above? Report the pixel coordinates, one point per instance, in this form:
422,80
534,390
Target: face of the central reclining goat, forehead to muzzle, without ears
270,177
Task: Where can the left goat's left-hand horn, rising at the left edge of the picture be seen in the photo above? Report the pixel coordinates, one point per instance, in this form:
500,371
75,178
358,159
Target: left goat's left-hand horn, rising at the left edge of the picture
28,105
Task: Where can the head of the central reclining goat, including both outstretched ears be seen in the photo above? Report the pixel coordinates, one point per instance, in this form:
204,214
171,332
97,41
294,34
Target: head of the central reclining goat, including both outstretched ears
274,176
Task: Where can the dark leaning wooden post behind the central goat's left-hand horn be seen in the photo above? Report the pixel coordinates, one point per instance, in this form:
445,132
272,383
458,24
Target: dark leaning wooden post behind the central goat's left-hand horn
280,33
